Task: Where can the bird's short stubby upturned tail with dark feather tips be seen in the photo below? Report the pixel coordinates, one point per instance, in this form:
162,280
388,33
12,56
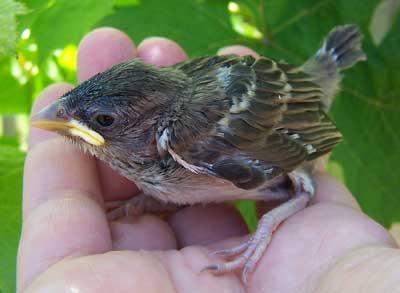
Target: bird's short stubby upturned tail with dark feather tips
341,49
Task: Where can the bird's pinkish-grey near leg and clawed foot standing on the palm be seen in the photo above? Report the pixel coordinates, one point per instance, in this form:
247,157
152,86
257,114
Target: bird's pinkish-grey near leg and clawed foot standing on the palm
246,255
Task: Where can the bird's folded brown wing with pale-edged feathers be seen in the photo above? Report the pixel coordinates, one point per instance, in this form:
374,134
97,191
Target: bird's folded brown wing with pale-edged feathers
264,119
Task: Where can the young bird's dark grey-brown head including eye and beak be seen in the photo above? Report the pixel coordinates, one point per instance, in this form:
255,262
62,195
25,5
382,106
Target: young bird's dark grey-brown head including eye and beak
114,114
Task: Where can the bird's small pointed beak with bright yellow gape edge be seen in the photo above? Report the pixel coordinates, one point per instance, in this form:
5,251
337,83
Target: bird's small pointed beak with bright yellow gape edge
52,118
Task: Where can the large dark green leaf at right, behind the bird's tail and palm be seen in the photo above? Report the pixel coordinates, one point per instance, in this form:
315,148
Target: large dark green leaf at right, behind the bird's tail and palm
368,113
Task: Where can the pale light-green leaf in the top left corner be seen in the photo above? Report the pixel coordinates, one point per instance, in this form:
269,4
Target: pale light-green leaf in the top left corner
9,9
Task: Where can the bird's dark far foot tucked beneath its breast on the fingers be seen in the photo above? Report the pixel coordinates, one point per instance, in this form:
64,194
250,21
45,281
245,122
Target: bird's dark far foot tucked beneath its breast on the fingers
136,206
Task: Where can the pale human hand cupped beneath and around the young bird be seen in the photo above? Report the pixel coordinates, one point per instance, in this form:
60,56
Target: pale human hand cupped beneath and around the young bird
67,245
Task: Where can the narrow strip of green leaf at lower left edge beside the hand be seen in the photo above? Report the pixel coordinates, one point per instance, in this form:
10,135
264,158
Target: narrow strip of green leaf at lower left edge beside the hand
11,164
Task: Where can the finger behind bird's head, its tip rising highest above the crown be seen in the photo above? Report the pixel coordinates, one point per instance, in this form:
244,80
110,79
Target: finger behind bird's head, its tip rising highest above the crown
98,51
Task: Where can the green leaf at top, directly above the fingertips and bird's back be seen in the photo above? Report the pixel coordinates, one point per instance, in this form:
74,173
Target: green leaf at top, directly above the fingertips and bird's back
200,27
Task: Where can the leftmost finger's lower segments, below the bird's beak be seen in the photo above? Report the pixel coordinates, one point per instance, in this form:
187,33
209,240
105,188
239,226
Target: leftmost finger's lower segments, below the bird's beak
62,215
